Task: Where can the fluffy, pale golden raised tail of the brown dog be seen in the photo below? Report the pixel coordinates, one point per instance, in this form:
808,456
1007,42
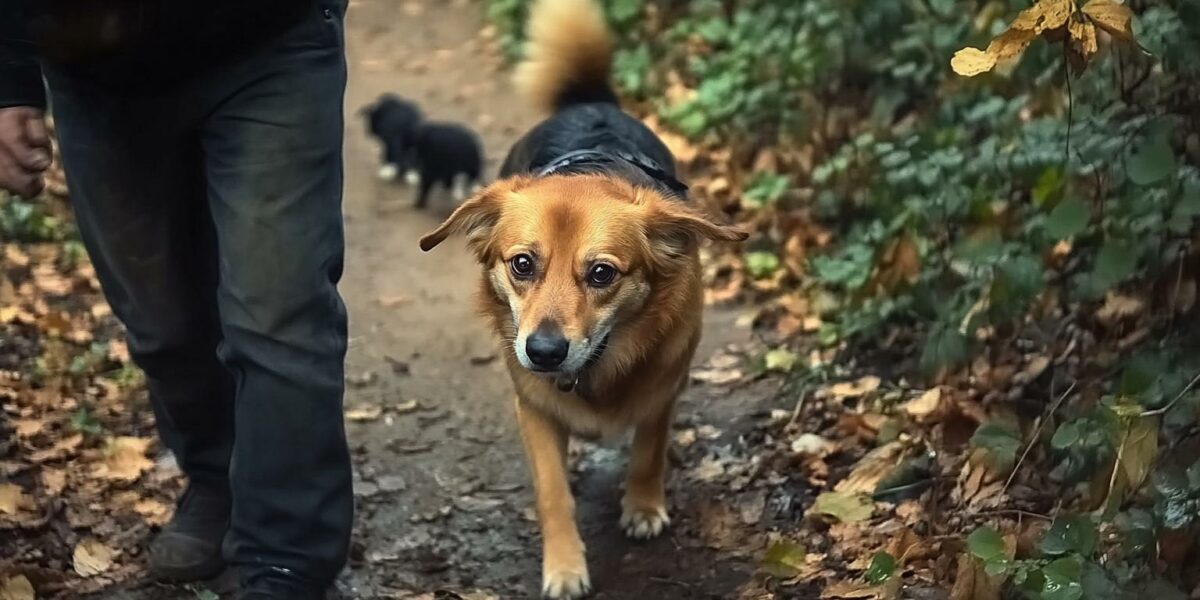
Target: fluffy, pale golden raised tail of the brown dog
568,57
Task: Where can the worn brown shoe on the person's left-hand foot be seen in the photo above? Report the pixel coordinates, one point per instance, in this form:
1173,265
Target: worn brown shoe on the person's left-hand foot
189,549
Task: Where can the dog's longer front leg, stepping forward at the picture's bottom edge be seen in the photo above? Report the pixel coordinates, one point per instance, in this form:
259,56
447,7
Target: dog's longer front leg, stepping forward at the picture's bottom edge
565,572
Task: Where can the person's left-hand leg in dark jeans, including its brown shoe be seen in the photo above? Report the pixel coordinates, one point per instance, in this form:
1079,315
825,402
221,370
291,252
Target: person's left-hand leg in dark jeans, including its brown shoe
137,188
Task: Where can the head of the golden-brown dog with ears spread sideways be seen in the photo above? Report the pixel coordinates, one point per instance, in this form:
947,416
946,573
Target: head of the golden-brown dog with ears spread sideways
575,257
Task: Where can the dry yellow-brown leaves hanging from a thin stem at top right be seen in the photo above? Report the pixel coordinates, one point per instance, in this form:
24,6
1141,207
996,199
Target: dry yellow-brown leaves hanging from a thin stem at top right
1052,20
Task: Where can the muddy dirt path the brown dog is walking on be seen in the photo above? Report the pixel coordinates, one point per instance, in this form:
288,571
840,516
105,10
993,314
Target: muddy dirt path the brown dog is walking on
461,518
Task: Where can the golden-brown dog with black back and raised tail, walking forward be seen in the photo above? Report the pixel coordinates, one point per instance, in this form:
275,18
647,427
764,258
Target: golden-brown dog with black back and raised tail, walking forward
591,279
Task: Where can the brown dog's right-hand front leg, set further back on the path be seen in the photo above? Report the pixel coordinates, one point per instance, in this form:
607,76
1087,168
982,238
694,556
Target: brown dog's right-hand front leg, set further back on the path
645,507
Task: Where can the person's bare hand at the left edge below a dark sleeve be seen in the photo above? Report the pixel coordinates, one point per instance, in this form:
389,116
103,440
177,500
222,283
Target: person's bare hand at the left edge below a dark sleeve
25,151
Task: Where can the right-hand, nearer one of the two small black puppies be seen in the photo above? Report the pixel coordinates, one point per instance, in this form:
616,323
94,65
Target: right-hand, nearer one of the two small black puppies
447,154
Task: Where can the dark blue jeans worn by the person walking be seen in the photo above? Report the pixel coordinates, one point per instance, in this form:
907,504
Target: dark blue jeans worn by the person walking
213,214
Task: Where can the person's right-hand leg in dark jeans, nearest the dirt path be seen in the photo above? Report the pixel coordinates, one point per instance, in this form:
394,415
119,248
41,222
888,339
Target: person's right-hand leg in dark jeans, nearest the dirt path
273,152
